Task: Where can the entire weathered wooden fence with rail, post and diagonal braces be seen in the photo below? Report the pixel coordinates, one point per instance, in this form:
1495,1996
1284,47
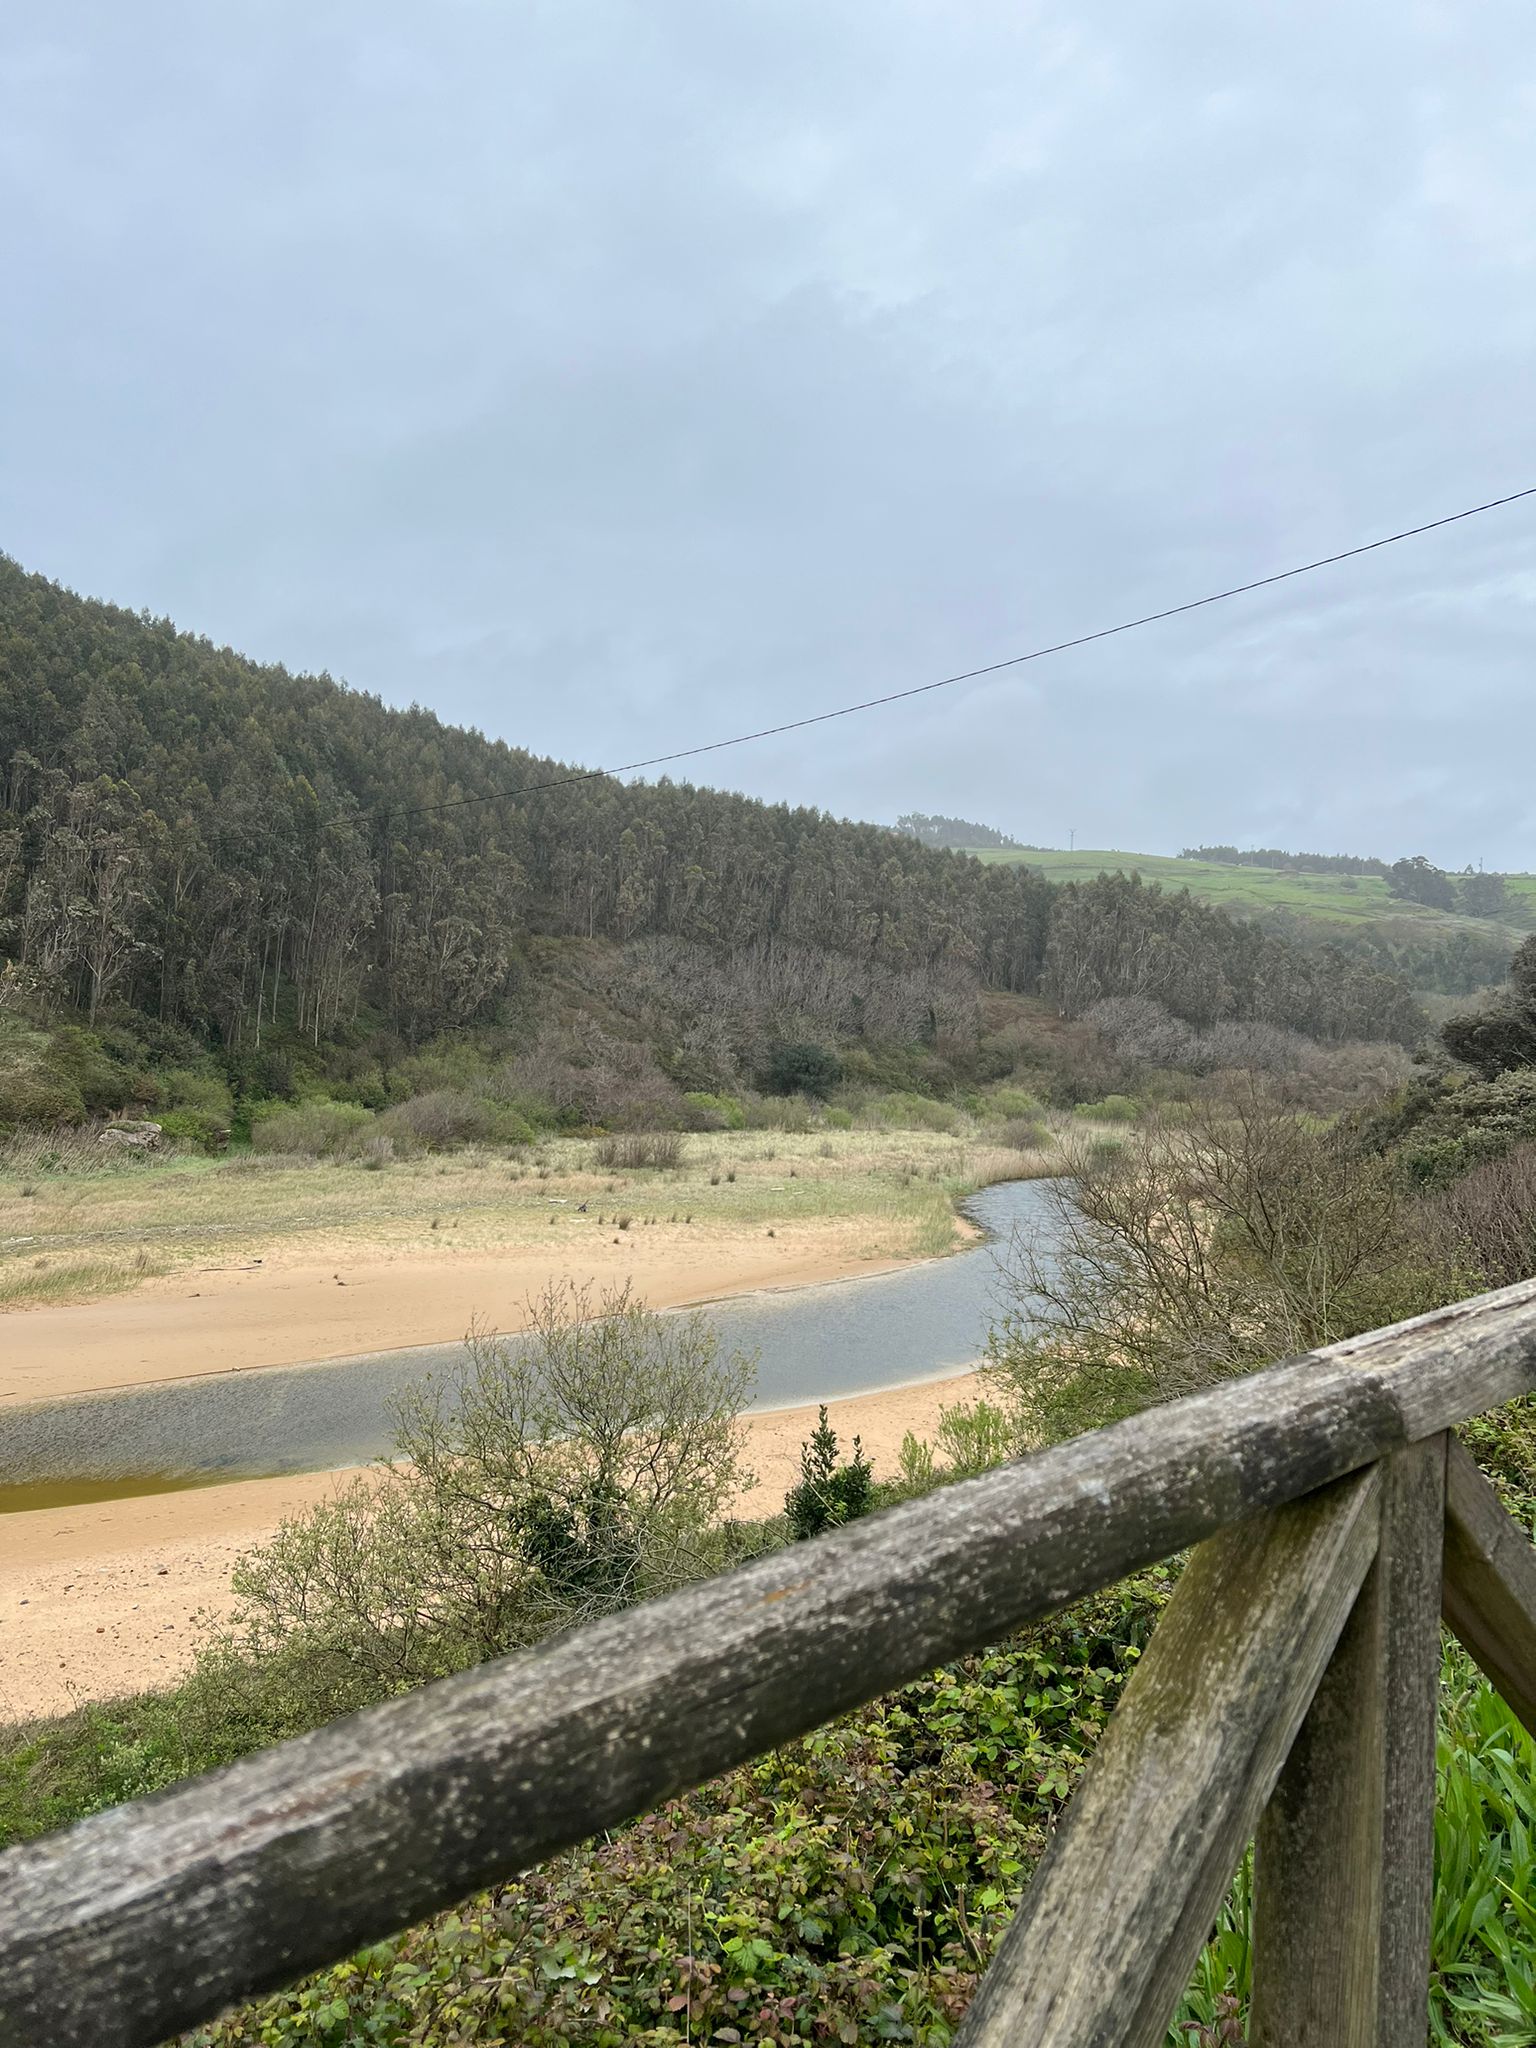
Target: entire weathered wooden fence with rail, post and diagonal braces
1289,1695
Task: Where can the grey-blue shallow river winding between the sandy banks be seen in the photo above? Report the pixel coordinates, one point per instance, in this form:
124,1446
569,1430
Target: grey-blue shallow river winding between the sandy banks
814,1345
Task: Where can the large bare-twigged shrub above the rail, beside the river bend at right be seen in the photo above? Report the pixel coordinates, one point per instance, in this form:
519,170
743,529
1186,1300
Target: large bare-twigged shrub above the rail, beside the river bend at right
1215,1244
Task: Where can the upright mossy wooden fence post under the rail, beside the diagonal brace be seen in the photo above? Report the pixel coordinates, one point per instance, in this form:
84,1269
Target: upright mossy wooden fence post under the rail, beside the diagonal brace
1345,1869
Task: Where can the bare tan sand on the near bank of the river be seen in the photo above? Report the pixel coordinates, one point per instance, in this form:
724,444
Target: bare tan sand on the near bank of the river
101,1601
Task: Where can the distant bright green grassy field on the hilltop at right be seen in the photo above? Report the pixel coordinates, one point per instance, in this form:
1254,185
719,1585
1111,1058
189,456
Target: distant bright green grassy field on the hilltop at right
1349,900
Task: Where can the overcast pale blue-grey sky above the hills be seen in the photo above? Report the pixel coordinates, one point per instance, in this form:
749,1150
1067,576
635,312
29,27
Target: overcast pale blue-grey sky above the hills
622,376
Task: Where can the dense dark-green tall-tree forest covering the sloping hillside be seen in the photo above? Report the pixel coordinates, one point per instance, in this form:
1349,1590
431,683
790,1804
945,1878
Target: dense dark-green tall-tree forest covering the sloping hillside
228,849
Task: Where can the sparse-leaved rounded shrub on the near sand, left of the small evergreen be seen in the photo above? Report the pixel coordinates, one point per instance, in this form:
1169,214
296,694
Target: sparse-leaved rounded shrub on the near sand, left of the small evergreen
542,1484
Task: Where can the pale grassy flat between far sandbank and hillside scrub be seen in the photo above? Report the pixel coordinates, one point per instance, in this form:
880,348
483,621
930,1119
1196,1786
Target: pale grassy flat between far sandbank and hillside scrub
865,1193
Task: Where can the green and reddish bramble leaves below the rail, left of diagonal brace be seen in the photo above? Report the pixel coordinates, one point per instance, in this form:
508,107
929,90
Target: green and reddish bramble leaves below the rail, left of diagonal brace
849,1887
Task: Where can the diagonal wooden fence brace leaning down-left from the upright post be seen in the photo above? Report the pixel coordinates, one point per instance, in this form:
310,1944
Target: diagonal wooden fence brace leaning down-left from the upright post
1123,1902
